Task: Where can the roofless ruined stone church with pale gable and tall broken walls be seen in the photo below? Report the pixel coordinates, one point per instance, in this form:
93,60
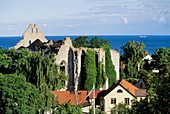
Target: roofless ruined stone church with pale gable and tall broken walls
69,58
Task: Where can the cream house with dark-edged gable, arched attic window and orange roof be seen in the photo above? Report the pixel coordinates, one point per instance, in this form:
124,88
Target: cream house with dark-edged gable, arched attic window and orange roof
122,92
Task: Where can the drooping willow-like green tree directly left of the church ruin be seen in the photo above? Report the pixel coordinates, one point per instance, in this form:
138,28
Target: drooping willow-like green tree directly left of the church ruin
41,71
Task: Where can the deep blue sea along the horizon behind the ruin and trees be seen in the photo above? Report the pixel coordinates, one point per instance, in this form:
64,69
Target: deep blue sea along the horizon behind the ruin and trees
152,42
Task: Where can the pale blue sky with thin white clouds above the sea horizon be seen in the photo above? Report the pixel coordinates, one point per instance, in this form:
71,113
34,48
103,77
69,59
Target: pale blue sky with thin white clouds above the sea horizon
86,17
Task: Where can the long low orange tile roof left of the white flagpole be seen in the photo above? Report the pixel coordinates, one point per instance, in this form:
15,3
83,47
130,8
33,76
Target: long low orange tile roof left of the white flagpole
76,98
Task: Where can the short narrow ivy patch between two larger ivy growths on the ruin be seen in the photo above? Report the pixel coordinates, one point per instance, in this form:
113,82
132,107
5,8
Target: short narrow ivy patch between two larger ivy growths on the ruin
101,76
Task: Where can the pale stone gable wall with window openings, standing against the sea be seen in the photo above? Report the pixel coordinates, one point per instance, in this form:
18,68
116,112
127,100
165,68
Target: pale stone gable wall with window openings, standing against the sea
30,35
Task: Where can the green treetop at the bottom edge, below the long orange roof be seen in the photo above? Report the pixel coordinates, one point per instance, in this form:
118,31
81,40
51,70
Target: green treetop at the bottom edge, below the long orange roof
67,108
